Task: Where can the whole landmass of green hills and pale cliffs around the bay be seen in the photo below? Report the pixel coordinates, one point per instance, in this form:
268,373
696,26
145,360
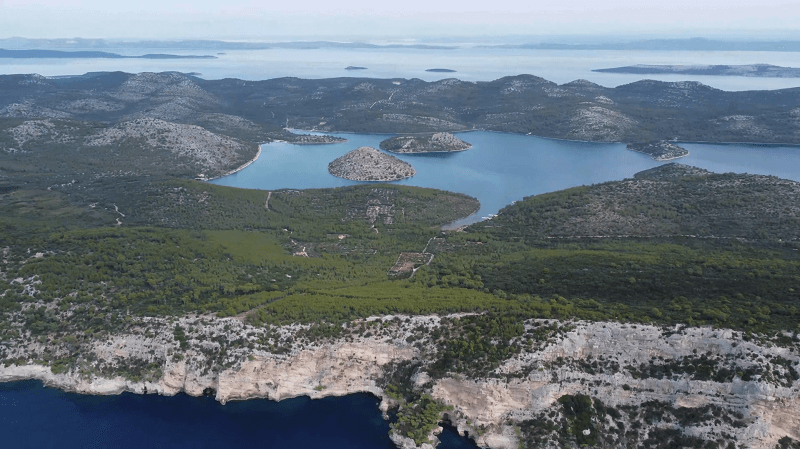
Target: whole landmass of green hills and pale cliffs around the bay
657,311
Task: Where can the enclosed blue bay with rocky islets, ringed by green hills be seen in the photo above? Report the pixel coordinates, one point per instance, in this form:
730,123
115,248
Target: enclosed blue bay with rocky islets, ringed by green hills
501,168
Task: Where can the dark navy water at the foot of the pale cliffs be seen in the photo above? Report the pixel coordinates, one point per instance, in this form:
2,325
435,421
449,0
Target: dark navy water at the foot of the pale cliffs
32,416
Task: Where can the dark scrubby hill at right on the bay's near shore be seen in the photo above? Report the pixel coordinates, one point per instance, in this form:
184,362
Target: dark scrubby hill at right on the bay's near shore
669,200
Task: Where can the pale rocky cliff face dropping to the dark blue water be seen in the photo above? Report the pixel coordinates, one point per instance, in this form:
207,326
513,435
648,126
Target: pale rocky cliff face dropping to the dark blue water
607,361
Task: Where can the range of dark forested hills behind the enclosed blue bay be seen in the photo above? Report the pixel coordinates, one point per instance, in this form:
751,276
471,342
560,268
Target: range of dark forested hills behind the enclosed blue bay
638,112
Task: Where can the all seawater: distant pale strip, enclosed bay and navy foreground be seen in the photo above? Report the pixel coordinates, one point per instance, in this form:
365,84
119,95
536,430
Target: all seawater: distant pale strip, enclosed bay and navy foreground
499,169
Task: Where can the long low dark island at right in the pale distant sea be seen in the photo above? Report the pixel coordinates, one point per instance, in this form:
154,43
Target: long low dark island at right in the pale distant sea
751,70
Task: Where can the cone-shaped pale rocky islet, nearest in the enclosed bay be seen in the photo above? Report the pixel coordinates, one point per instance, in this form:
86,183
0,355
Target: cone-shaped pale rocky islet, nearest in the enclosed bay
369,164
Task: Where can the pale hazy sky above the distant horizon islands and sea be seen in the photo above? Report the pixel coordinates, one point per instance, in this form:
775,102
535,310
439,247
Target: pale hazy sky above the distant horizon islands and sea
230,19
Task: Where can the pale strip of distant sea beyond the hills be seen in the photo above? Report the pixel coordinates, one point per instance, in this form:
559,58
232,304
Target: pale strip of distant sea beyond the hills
470,64
